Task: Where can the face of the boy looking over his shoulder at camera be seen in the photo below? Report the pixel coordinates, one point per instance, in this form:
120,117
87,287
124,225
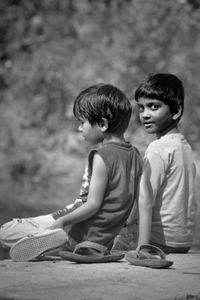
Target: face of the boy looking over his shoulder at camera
155,116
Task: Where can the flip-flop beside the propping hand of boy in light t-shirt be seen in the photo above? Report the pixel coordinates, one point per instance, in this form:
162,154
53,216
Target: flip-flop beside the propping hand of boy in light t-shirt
146,259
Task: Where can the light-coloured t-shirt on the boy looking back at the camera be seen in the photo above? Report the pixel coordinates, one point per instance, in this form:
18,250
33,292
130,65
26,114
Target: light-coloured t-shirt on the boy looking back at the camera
169,178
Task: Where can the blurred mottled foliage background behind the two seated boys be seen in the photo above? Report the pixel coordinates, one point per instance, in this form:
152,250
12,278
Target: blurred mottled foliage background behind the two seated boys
52,49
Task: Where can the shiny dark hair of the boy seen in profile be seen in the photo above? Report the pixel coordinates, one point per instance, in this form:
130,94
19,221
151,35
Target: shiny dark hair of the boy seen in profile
104,101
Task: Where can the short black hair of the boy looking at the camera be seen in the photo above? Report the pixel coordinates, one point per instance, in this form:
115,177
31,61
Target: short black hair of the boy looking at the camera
164,87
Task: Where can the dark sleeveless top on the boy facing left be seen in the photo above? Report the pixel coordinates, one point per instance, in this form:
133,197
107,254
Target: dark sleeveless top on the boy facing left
124,166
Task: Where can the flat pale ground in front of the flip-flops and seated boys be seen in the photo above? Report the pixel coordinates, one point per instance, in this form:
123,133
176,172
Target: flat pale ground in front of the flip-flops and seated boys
63,280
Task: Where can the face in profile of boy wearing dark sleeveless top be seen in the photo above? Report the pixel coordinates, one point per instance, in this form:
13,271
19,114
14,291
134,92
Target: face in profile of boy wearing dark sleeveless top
91,133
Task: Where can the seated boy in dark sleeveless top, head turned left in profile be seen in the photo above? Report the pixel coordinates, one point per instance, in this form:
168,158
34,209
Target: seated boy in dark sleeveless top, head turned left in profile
114,171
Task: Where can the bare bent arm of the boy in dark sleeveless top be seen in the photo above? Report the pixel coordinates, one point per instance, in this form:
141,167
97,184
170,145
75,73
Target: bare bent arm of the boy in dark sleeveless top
95,198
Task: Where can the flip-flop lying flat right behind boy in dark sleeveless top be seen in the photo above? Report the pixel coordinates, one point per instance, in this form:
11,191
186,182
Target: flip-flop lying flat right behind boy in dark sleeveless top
89,252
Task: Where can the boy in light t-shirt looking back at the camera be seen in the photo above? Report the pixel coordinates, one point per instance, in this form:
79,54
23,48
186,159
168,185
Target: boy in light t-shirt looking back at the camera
166,198
